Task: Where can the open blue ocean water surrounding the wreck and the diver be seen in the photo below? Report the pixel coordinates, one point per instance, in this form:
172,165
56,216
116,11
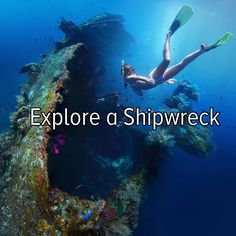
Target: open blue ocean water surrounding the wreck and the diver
192,196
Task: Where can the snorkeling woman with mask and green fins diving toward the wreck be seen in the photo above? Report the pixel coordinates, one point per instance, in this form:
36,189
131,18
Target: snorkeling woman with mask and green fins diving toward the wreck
163,74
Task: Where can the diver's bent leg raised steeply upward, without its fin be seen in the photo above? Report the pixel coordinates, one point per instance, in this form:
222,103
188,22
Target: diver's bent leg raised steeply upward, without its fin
159,71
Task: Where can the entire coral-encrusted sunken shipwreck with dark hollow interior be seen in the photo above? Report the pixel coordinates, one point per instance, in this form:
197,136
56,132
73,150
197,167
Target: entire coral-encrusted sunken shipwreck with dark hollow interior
84,180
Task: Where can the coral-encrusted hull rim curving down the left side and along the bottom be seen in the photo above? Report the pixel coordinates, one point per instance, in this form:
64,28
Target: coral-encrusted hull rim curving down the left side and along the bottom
28,206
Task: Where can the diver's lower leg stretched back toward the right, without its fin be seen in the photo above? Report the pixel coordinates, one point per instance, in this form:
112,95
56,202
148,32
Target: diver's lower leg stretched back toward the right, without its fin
174,70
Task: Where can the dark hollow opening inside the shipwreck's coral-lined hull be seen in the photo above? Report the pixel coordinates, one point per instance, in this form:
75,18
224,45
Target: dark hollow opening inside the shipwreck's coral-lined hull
88,161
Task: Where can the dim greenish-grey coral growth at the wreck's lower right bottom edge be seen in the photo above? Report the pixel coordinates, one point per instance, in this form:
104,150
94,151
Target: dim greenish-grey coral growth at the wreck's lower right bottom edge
120,216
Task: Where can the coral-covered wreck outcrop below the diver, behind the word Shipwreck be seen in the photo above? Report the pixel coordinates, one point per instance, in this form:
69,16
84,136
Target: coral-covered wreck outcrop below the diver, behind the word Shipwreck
193,139
